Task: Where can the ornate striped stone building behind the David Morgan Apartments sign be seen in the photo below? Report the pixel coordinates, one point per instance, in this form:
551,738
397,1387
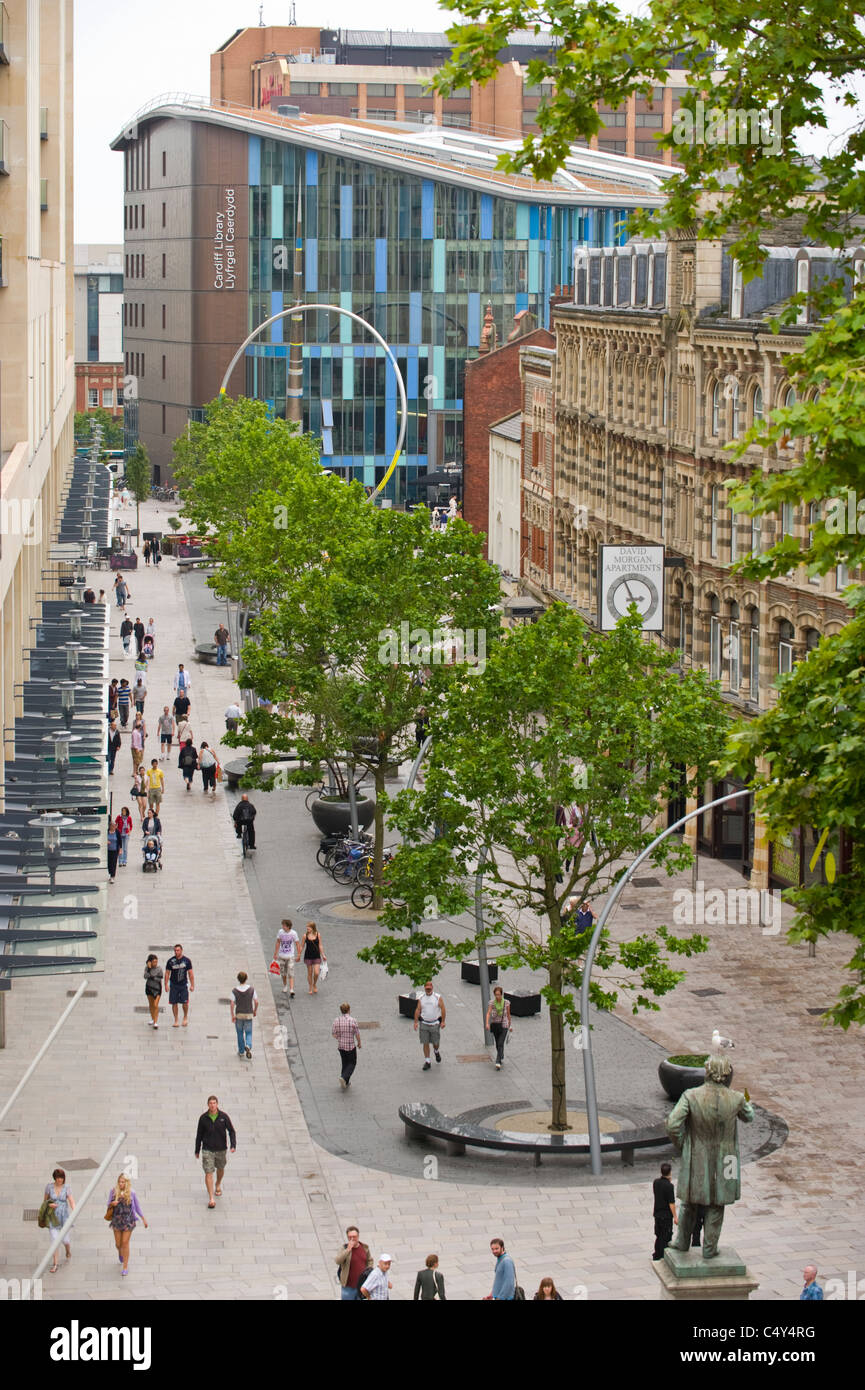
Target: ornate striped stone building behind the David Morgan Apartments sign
663,361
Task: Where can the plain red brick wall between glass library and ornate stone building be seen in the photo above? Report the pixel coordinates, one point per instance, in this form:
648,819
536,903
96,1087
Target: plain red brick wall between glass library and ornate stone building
493,390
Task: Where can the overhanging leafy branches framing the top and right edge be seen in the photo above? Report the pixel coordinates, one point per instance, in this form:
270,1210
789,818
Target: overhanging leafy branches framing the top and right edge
746,59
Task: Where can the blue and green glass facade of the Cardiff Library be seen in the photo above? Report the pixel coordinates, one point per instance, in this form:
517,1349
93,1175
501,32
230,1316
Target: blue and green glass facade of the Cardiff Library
419,259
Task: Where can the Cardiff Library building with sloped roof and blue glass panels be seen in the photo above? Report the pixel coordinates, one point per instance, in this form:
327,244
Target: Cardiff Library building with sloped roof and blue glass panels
414,230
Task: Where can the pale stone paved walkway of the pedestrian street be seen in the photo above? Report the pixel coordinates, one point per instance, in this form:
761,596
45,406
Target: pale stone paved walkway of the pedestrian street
287,1199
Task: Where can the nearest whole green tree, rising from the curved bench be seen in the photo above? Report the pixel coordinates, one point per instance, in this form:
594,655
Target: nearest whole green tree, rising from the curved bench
561,717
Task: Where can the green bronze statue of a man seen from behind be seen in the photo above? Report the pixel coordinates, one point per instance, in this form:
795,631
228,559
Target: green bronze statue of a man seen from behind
703,1127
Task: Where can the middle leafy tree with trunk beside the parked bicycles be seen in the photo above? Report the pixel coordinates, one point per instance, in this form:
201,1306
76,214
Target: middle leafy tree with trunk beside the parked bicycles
347,630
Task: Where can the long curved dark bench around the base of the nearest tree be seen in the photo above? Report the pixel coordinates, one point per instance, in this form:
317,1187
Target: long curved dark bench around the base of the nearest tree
425,1121
